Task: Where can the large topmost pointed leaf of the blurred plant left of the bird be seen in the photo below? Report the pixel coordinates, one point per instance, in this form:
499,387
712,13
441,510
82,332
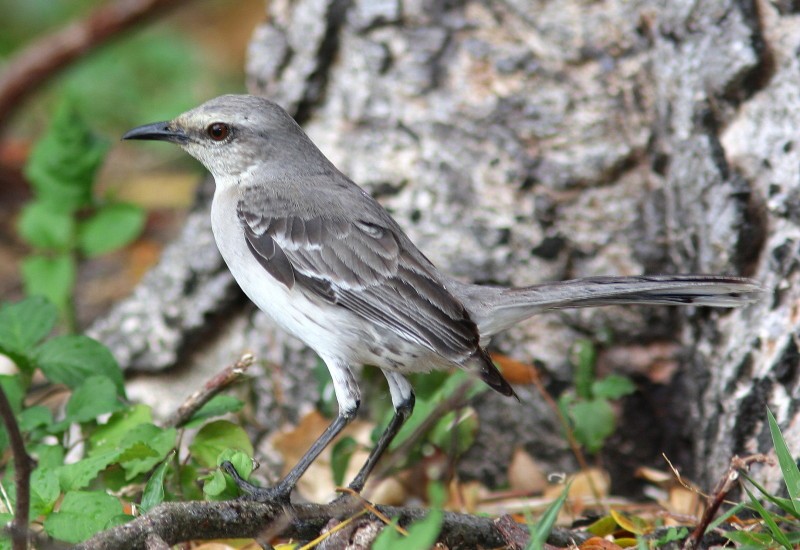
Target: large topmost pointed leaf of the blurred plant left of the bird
63,163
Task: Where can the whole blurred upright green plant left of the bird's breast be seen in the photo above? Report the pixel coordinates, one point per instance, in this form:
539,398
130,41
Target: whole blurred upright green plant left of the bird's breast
67,220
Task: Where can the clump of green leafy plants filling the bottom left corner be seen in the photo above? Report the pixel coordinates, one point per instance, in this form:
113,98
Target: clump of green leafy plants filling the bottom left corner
122,451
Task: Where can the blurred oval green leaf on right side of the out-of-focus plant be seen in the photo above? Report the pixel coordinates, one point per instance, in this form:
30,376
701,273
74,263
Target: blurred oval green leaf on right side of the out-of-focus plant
111,227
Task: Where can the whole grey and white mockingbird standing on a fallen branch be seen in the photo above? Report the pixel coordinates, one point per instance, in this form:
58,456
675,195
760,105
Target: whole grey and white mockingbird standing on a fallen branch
321,257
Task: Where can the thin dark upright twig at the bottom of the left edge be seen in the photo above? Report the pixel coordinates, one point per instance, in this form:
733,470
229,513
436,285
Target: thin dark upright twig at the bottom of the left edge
23,465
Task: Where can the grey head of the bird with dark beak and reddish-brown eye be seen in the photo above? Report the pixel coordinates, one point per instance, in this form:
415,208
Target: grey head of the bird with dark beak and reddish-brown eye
234,134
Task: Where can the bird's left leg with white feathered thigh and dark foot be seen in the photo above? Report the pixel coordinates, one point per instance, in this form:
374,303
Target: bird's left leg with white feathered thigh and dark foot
349,398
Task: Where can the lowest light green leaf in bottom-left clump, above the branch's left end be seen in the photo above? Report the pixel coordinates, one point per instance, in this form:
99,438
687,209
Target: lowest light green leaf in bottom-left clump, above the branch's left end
83,514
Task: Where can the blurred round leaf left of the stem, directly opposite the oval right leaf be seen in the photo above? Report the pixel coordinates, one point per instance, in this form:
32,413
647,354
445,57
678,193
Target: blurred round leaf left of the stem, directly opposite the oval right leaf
43,225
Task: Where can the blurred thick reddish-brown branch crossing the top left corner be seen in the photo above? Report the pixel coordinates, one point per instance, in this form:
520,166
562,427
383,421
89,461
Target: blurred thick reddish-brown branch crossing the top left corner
51,54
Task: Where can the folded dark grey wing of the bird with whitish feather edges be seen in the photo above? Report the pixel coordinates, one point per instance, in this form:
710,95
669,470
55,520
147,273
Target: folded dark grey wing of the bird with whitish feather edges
364,266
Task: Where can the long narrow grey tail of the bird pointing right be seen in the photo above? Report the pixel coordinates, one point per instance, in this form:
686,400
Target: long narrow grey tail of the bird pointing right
496,309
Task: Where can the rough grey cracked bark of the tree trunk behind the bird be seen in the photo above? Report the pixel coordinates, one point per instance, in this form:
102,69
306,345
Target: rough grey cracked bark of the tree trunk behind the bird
519,142
